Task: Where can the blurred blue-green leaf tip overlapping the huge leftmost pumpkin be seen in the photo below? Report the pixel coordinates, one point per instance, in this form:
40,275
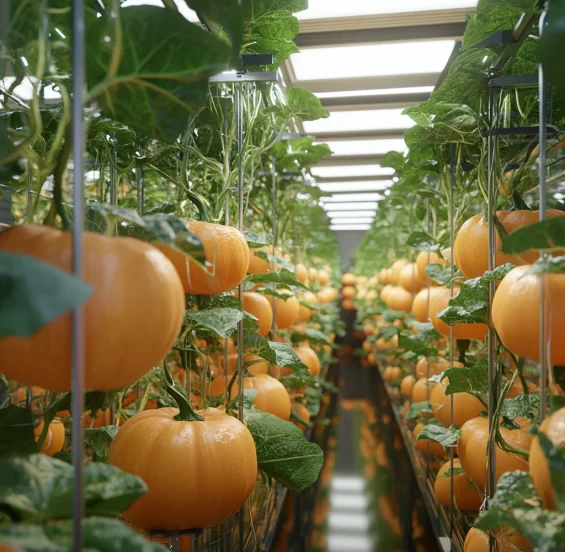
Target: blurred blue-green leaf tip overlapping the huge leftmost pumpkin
33,293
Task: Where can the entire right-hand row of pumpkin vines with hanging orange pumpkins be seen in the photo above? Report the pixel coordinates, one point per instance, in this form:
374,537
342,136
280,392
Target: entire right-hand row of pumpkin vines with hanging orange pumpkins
429,292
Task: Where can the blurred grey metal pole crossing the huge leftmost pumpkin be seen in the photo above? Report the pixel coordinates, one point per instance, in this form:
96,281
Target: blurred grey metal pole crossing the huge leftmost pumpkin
78,145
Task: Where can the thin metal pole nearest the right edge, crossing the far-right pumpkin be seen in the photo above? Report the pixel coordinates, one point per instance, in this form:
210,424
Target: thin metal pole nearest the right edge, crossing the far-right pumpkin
542,161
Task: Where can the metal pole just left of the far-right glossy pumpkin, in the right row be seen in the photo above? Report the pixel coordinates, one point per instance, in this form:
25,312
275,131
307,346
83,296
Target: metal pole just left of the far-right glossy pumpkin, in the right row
492,384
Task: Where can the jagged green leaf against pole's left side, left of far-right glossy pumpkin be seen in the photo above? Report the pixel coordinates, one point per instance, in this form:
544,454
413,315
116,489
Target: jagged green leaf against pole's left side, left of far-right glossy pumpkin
469,306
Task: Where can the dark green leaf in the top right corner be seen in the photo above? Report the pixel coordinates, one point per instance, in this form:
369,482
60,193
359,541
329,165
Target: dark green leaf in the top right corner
553,40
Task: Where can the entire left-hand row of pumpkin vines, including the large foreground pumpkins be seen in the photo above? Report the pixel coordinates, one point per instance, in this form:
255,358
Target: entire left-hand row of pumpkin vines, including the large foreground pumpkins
186,416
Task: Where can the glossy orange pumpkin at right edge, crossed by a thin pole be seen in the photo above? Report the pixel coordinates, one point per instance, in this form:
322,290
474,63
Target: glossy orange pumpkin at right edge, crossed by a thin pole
518,294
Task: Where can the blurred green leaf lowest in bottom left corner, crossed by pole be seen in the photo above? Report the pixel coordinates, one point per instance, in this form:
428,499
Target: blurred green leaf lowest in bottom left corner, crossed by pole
100,535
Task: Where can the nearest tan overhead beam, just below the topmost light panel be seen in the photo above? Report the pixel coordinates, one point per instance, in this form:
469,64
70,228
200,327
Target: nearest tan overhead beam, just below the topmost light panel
445,31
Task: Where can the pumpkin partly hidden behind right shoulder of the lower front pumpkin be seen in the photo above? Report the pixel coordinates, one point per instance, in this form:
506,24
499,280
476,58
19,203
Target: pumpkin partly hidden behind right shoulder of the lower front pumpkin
272,395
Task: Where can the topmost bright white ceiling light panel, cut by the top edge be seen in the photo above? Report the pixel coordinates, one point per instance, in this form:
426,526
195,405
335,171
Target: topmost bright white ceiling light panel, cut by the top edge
325,9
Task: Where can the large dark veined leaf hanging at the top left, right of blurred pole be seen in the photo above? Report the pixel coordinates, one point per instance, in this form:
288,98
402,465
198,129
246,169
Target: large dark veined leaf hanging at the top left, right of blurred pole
152,74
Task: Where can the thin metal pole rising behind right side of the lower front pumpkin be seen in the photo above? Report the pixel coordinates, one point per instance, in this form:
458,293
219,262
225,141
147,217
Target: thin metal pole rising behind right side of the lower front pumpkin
239,125
